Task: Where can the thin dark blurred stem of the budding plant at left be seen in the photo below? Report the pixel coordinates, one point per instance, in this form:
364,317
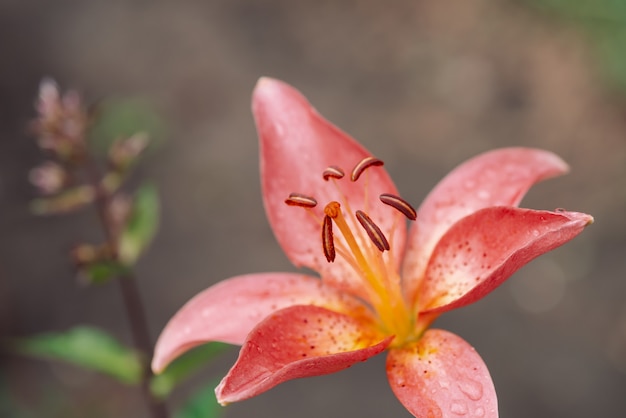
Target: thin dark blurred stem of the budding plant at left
131,297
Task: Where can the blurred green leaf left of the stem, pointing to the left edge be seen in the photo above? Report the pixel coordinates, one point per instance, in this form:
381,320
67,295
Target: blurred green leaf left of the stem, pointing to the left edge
86,347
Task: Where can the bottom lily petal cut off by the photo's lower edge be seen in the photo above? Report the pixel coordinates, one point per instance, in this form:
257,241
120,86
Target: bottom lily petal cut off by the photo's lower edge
441,375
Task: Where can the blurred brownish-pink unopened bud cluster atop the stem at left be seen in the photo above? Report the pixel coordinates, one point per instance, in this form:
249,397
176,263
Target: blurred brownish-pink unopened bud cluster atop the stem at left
72,177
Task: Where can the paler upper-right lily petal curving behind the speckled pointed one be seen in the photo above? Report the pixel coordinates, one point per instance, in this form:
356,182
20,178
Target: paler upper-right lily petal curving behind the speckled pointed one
496,178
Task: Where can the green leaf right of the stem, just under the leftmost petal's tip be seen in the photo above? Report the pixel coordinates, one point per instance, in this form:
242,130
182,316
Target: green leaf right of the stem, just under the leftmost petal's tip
184,366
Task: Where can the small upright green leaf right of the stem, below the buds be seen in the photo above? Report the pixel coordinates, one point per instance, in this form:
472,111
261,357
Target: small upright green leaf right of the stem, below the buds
142,224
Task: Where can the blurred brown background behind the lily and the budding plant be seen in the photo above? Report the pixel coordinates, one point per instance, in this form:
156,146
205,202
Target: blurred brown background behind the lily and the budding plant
423,84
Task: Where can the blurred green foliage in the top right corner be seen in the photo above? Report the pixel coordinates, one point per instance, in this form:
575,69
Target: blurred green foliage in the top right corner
604,24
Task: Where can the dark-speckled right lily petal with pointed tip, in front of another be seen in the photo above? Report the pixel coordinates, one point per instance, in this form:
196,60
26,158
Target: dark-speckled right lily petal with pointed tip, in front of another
482,250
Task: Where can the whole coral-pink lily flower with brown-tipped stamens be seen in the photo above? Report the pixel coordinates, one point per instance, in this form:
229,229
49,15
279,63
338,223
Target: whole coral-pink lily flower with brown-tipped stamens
381,284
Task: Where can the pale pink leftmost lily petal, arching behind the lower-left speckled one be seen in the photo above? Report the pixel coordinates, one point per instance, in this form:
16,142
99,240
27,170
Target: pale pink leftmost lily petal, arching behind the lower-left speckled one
229,310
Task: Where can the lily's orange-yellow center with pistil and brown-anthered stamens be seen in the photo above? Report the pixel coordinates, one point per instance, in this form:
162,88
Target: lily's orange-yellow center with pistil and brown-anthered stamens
366,249
